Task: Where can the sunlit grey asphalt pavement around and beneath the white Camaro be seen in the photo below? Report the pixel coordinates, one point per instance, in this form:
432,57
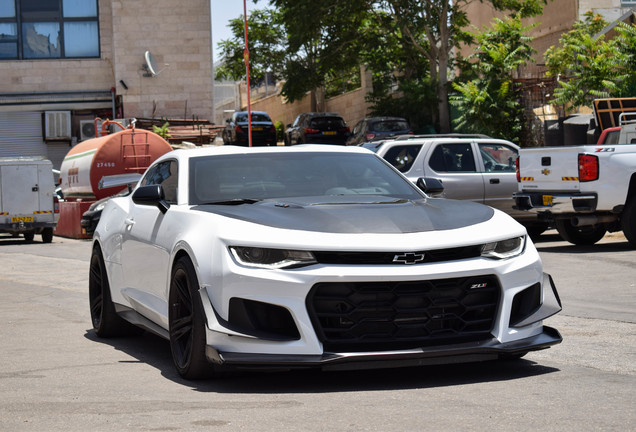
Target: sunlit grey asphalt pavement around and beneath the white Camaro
56,375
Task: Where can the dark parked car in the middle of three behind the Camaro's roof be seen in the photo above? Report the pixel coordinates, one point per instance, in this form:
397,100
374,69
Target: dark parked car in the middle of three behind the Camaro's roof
320,128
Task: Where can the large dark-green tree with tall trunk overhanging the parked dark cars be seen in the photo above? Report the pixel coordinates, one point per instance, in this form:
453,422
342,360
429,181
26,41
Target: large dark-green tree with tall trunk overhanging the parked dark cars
326,39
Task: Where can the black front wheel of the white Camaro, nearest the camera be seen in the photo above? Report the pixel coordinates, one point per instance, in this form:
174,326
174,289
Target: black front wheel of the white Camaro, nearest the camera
186,320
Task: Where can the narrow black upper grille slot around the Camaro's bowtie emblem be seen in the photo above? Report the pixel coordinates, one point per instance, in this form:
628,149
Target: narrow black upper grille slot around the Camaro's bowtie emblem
360,258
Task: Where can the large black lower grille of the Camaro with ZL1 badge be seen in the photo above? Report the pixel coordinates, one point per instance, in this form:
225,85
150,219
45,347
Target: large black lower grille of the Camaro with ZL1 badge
372,316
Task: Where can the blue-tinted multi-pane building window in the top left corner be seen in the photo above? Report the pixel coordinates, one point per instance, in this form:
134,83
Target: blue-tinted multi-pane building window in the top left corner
48,29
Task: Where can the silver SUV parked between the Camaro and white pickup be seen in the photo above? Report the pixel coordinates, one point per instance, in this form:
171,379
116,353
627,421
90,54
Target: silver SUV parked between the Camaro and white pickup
471,167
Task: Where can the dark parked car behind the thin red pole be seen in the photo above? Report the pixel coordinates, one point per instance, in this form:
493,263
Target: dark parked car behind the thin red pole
236,129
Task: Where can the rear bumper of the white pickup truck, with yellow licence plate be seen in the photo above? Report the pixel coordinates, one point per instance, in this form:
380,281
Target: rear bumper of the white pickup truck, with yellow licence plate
555,202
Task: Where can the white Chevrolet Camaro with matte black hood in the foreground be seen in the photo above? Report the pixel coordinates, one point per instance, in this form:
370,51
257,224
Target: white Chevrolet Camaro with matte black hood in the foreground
313,256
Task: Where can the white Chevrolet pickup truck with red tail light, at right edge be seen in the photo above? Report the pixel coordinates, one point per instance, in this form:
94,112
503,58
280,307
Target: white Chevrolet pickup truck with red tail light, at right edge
585,191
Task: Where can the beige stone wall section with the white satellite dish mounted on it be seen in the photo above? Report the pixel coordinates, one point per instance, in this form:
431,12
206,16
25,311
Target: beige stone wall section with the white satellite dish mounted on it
180,41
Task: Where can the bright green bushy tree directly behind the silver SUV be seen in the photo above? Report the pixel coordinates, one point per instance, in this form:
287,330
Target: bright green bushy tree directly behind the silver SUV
489,103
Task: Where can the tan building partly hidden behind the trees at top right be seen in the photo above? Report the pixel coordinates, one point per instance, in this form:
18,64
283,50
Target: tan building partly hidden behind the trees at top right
558,17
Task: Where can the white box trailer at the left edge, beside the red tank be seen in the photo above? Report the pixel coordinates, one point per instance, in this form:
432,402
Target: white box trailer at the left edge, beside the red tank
28,203
